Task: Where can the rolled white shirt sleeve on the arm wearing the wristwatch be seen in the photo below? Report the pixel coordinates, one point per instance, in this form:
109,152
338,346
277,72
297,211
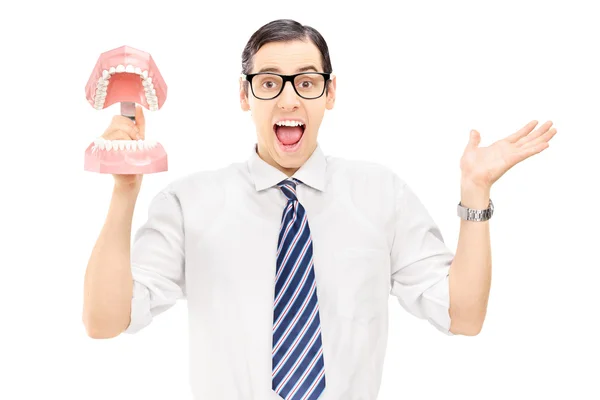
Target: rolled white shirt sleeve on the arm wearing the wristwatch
420,261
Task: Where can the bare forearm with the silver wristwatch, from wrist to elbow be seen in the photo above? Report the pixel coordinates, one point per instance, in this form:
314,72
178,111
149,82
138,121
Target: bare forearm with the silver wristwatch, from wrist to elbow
471,269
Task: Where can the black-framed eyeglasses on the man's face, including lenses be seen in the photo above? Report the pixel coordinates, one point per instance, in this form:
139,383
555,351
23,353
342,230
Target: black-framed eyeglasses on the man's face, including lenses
268,85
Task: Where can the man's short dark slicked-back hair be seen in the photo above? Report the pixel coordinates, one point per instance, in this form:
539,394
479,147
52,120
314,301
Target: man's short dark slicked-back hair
283,30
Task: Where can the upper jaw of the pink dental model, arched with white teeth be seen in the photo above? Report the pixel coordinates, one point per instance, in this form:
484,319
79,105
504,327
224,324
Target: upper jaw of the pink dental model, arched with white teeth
126,74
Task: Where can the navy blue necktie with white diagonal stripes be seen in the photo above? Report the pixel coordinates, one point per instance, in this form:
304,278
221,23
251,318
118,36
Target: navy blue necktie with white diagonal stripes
298,365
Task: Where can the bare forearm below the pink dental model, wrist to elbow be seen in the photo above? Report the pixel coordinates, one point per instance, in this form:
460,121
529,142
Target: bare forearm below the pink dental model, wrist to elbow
108,281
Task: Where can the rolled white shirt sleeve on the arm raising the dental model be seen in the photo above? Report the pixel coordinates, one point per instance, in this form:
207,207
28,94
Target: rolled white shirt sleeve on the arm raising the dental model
157,261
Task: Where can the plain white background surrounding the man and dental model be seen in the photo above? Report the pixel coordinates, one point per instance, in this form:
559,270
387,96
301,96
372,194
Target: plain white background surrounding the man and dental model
413,79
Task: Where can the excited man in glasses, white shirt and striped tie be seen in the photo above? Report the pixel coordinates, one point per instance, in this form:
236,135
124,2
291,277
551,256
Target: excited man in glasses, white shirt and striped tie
288,258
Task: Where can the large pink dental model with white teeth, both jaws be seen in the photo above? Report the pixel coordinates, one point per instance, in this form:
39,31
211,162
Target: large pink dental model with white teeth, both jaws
128,76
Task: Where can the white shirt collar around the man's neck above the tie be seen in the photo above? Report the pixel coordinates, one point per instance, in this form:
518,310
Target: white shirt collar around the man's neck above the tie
311,173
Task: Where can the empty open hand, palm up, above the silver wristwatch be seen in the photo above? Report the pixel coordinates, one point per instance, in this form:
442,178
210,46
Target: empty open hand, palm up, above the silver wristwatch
485,165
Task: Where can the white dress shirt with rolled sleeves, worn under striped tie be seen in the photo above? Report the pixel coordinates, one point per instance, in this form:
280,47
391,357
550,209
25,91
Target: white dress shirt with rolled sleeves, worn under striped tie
211,238
